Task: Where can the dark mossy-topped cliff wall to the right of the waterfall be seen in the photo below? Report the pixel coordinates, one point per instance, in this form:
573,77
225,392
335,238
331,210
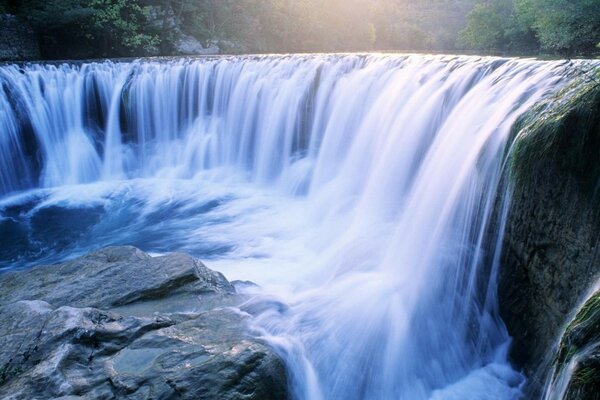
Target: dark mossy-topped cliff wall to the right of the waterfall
550,258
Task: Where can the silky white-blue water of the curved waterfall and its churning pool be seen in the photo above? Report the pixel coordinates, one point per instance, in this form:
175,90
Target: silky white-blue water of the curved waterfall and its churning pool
358,190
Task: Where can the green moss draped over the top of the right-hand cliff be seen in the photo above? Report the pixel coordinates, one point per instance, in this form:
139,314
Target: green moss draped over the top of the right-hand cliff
561,132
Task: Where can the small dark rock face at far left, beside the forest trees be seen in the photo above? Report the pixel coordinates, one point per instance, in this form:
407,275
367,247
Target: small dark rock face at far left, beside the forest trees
17,40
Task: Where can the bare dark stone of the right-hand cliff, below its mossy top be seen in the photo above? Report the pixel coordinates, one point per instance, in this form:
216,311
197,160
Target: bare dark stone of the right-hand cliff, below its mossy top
549,262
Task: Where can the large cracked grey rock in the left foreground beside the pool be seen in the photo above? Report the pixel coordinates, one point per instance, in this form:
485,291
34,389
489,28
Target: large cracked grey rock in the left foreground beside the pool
121,324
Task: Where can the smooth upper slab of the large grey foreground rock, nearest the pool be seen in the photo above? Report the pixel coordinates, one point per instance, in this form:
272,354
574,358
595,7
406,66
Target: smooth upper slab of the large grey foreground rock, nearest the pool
115,277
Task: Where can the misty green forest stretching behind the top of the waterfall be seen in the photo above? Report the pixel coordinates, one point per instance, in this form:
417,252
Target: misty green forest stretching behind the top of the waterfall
113,28
